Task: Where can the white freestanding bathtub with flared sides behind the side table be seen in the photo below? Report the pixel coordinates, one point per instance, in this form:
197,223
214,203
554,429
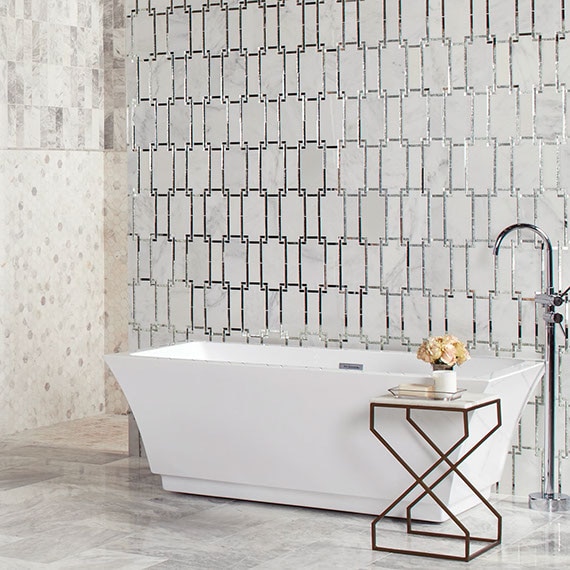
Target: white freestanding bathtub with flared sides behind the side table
291,425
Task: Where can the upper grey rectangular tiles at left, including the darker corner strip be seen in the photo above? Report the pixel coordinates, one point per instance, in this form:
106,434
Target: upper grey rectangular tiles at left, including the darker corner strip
63,74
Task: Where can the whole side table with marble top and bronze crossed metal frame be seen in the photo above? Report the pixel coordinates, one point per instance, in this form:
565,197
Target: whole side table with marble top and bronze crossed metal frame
465,406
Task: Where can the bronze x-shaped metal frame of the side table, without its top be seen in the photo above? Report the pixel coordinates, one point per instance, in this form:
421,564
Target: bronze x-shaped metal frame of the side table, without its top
420,480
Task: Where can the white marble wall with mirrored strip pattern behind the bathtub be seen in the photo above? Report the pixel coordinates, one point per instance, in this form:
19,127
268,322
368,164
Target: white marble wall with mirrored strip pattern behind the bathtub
335,172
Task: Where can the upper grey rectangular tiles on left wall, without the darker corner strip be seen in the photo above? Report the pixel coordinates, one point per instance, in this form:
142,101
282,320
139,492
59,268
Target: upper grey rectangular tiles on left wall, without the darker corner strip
51,70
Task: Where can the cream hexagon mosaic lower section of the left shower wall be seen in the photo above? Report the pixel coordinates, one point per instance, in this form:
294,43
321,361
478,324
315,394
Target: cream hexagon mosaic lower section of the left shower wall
52,278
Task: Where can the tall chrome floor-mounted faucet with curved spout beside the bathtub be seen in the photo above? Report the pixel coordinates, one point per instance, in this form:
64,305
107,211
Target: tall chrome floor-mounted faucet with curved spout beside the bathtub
548,499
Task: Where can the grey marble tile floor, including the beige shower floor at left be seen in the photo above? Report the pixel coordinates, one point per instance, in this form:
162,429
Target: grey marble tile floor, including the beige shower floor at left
70,497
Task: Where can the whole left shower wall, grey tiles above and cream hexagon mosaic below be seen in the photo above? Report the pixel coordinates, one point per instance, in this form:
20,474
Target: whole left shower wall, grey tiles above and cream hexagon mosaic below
59,161
